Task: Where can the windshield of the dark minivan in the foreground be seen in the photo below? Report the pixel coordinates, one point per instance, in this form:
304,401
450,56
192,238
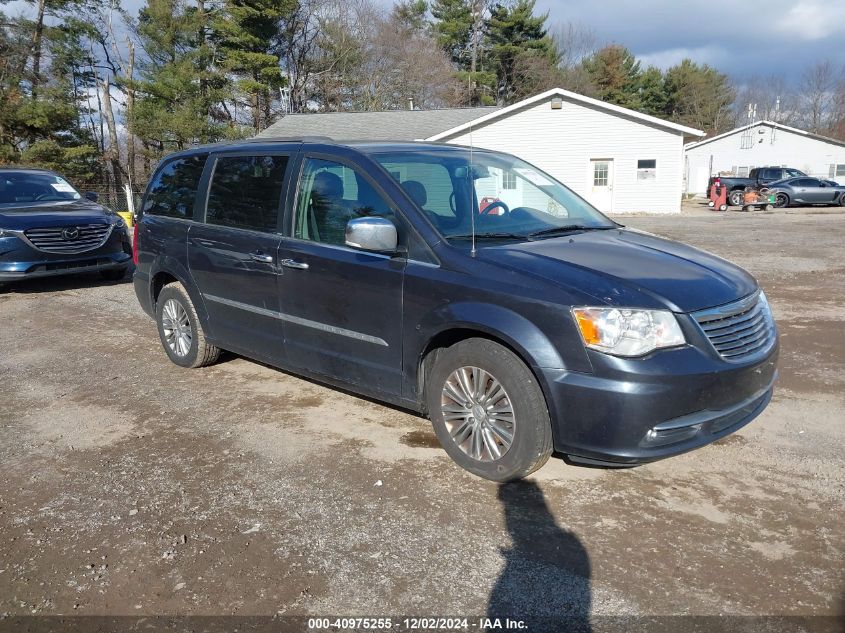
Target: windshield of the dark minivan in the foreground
503,196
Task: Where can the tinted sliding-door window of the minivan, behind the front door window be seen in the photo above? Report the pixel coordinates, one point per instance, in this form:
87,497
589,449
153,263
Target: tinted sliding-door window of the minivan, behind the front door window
246,192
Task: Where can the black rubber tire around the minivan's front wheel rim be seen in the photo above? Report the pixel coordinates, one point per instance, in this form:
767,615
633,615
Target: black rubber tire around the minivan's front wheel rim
531,428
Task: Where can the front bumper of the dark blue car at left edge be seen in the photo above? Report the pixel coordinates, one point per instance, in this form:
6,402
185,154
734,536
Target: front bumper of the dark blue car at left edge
19,260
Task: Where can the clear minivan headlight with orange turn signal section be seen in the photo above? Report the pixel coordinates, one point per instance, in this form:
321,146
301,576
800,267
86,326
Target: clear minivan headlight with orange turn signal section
624,332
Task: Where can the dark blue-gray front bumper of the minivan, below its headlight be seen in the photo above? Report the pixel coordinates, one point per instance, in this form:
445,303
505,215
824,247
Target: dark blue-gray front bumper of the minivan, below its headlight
634,411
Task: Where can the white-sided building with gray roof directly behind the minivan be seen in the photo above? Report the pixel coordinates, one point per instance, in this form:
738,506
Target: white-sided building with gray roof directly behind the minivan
621,160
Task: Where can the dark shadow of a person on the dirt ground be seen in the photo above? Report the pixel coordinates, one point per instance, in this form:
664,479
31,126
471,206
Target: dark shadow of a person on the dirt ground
546,579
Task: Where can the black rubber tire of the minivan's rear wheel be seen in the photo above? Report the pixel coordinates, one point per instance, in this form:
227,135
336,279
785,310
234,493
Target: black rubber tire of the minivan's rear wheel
199,352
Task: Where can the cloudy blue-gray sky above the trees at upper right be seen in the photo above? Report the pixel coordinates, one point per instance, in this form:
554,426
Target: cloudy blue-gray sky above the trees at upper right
740,37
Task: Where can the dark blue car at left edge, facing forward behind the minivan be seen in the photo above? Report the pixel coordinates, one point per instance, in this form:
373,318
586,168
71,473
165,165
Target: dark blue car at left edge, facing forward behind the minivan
48,228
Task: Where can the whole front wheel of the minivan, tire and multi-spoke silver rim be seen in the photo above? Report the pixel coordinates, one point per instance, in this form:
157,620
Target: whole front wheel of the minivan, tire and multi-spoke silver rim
488,410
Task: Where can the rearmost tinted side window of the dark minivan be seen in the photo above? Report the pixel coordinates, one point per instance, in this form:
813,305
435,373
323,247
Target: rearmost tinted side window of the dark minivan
173,189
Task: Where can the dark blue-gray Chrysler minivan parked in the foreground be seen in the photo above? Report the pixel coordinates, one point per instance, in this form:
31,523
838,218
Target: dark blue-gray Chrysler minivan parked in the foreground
466,285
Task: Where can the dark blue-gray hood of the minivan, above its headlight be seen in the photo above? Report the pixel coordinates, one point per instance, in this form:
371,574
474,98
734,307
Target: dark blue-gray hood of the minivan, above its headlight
623,267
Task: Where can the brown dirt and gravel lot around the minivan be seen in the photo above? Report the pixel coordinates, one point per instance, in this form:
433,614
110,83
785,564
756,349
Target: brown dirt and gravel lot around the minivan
131,486
